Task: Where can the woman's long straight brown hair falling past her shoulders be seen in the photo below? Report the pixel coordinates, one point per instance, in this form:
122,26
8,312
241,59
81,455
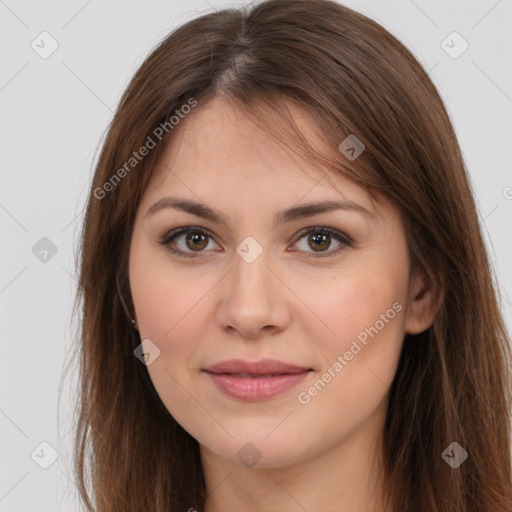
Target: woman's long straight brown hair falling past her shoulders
352,77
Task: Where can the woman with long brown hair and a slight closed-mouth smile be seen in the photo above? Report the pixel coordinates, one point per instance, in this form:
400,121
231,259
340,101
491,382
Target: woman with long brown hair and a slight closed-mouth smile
287,302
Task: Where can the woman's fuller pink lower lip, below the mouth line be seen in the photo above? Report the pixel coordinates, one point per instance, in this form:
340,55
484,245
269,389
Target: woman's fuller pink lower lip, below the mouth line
256,388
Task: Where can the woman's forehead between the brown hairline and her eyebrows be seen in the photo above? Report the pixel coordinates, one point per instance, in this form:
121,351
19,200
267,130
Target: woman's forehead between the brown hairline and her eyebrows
219,151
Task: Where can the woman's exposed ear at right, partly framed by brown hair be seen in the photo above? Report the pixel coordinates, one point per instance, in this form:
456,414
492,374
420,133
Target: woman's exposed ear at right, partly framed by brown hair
425,299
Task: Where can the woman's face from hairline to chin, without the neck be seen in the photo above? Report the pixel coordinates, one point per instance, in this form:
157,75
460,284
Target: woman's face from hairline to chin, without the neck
249,285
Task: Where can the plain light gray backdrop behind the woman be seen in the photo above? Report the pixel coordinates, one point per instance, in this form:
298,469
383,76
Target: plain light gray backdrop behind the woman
54,113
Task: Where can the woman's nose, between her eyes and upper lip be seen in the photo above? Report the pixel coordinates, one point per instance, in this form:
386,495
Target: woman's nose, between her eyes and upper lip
252,300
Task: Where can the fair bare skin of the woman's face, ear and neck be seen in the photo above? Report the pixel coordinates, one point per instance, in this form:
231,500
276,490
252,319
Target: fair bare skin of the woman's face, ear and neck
324,455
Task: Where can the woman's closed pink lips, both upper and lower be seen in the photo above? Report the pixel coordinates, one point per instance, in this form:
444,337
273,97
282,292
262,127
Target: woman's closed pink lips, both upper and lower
255,380
